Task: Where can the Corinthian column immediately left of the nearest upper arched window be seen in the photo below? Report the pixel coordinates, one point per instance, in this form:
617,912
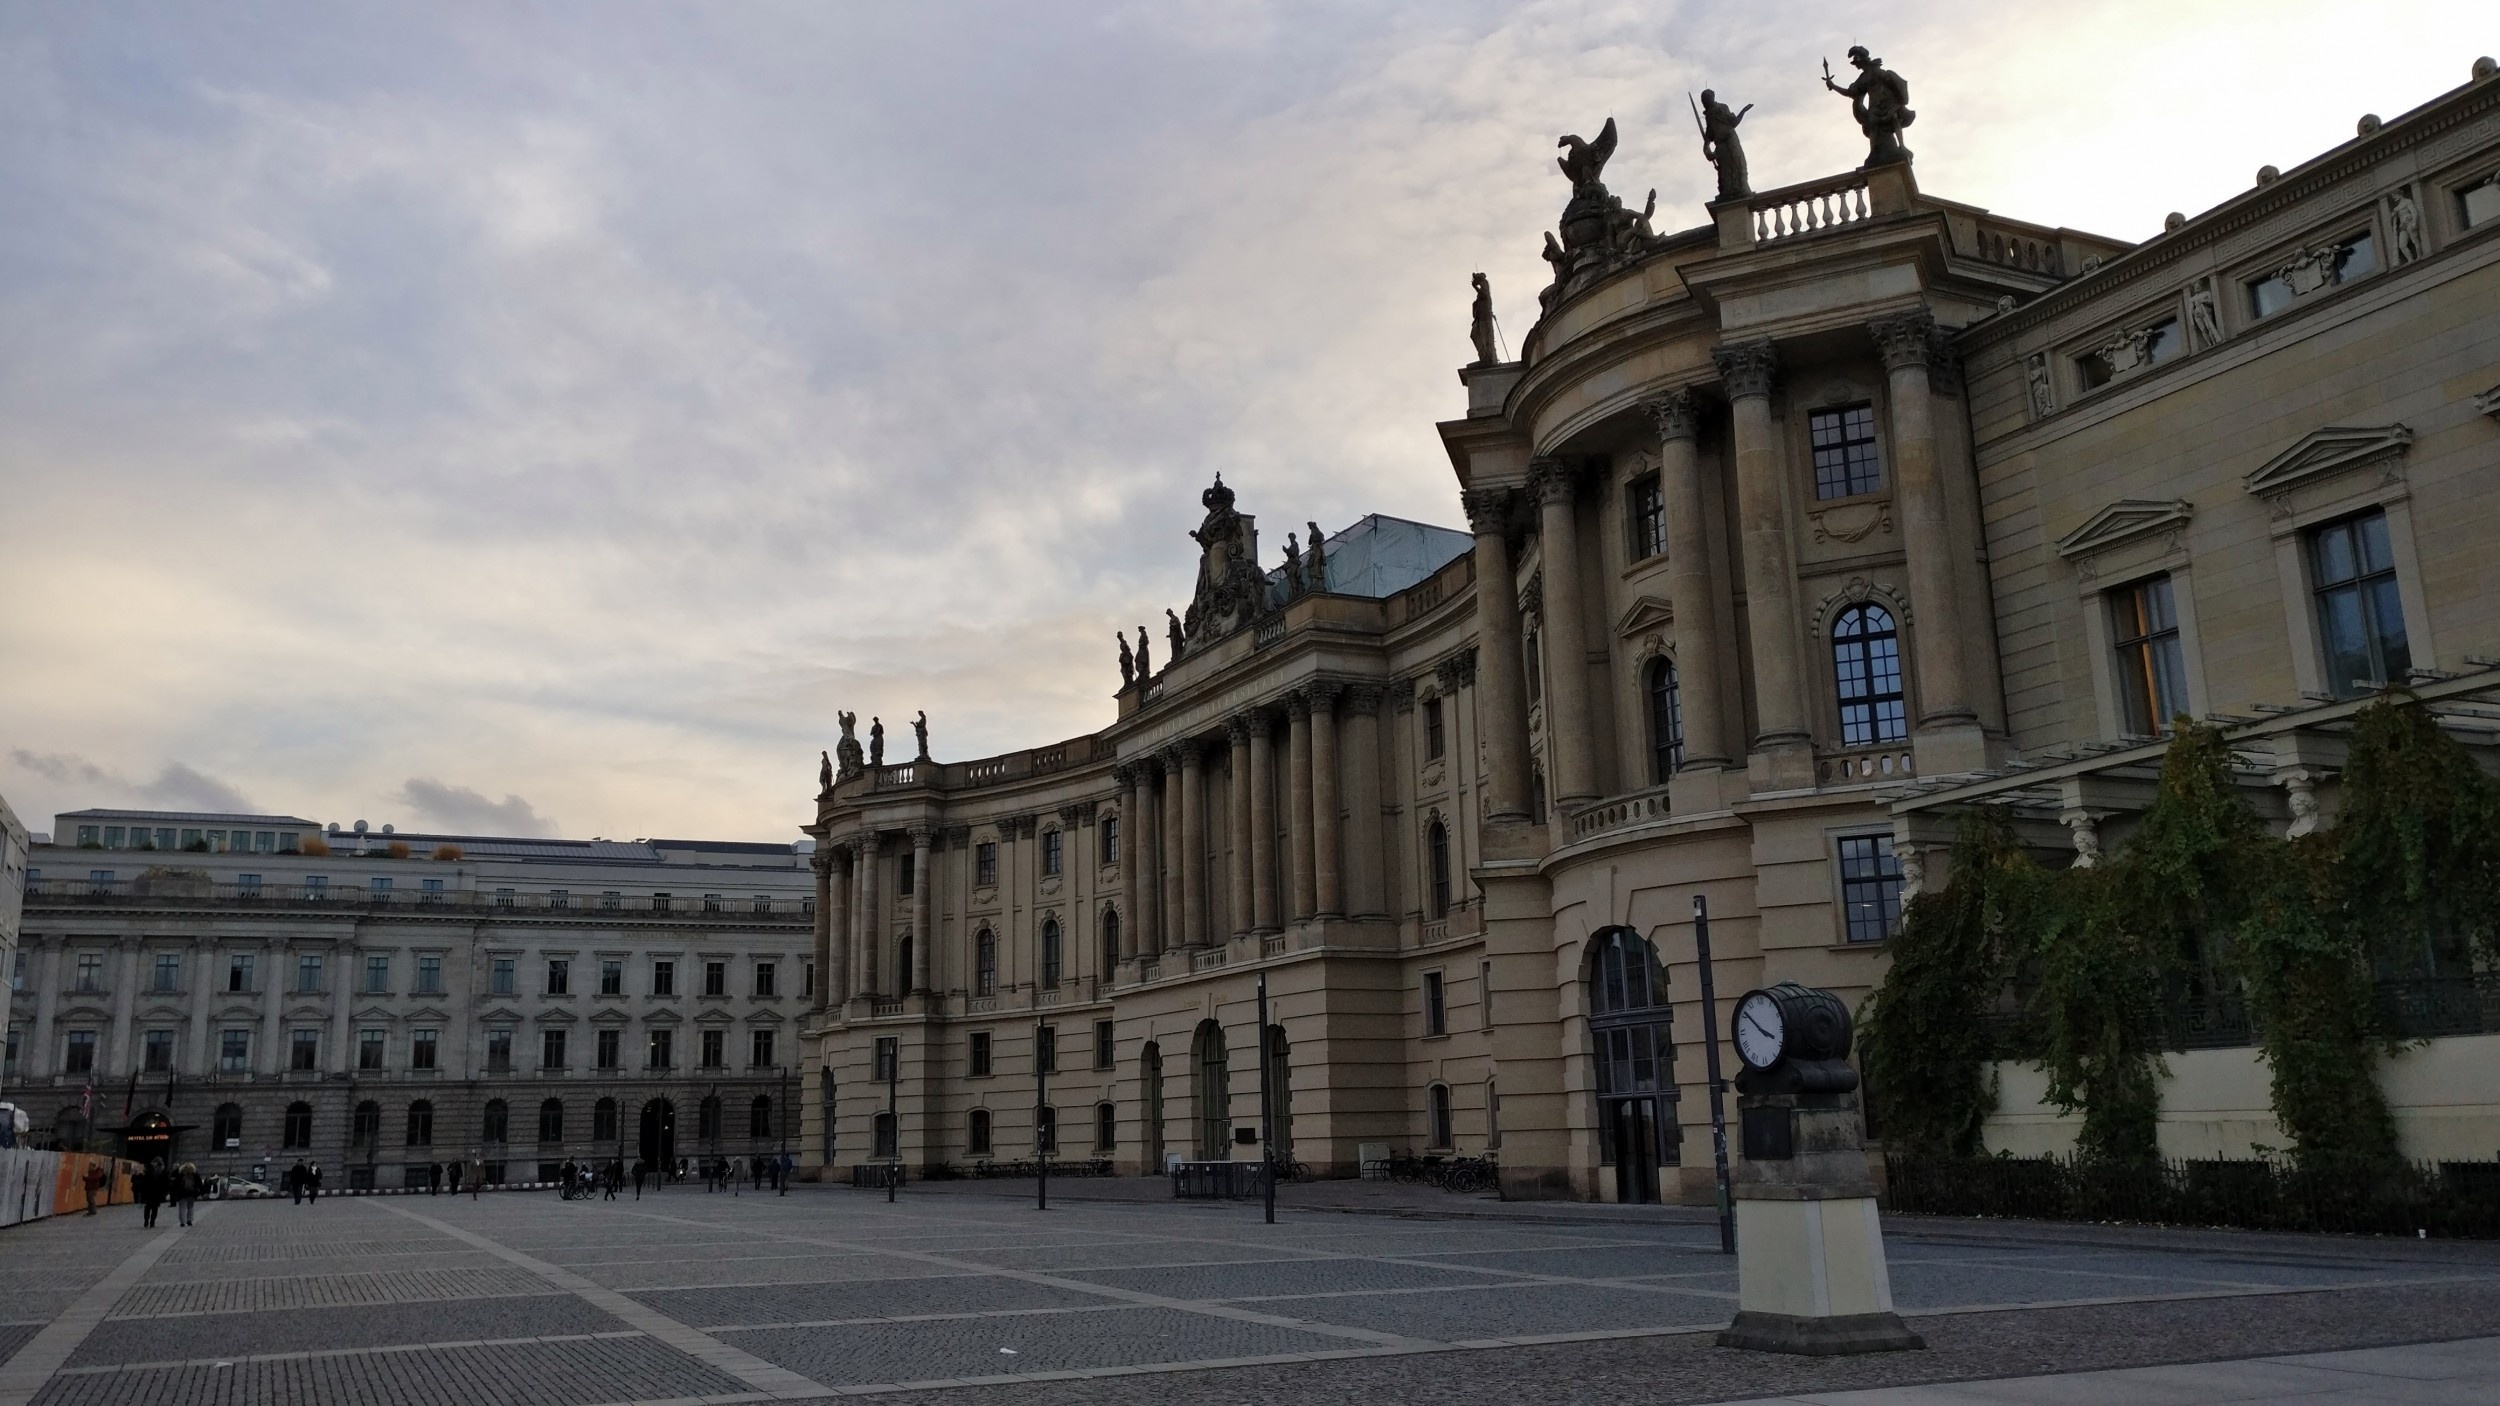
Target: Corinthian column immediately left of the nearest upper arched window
1771,579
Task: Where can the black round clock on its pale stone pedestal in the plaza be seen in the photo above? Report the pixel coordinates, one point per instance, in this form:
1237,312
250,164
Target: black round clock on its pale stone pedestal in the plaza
1811,1270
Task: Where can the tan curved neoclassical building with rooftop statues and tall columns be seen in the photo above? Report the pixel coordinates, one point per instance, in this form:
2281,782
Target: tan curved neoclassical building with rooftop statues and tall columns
1786,537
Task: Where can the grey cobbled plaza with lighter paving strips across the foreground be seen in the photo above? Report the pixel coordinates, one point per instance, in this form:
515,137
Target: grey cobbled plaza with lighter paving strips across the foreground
966,1292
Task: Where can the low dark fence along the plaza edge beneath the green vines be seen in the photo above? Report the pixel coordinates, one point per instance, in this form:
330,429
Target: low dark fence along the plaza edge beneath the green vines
2451,1200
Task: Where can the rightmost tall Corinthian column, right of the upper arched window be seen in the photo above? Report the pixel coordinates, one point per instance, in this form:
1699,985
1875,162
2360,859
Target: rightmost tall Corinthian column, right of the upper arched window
1936,654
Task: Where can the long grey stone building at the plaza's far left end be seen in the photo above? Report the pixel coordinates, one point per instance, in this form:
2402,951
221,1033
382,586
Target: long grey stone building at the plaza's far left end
389,1002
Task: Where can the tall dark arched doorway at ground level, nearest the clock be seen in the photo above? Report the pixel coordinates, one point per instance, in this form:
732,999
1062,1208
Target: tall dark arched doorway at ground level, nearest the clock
1636,1062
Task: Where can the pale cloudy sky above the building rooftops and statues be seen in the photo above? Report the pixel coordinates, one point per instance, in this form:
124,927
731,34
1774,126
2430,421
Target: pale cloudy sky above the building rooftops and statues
544,417
